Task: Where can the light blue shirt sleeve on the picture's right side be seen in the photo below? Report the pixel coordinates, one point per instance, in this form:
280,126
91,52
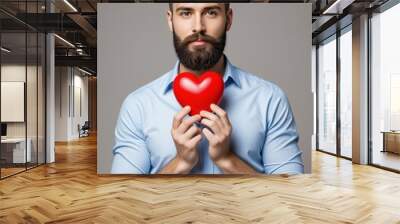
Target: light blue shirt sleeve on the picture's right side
281,153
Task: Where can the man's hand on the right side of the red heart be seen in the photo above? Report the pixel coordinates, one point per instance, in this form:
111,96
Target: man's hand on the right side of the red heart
219,136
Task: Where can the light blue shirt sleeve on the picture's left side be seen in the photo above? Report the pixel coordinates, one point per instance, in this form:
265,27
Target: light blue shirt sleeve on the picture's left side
130,155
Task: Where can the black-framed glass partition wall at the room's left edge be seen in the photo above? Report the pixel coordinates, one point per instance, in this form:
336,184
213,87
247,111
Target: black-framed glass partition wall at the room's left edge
22,101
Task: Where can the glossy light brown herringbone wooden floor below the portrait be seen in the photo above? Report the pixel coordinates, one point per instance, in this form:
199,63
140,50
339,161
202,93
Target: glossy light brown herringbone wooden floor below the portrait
70,191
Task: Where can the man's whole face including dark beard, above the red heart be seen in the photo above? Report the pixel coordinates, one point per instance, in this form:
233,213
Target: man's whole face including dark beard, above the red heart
199,33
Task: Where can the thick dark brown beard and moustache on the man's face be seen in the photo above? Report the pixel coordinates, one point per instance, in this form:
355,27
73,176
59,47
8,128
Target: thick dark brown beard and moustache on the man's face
201,58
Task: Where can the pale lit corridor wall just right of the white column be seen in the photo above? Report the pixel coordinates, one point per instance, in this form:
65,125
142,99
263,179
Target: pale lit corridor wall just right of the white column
69,82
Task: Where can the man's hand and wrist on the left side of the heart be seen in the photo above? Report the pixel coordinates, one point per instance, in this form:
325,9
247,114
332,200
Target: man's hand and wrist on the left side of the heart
186,137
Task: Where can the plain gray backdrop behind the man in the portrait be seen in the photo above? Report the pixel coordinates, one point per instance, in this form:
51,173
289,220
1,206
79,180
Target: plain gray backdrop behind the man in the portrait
135,47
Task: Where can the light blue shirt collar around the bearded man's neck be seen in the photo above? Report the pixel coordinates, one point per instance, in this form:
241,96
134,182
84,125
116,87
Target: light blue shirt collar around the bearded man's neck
230,74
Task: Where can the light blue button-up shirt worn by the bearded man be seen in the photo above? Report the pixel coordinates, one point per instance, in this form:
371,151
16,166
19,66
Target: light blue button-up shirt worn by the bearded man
263,133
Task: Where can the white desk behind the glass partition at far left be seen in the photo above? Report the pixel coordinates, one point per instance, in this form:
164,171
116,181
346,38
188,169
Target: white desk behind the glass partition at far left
16,147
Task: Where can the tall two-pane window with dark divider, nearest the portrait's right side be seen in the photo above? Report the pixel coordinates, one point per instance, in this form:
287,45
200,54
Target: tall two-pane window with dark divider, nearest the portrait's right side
334,106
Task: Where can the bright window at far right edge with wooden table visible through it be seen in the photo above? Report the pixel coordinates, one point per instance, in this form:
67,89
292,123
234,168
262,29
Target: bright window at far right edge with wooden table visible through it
385,88
